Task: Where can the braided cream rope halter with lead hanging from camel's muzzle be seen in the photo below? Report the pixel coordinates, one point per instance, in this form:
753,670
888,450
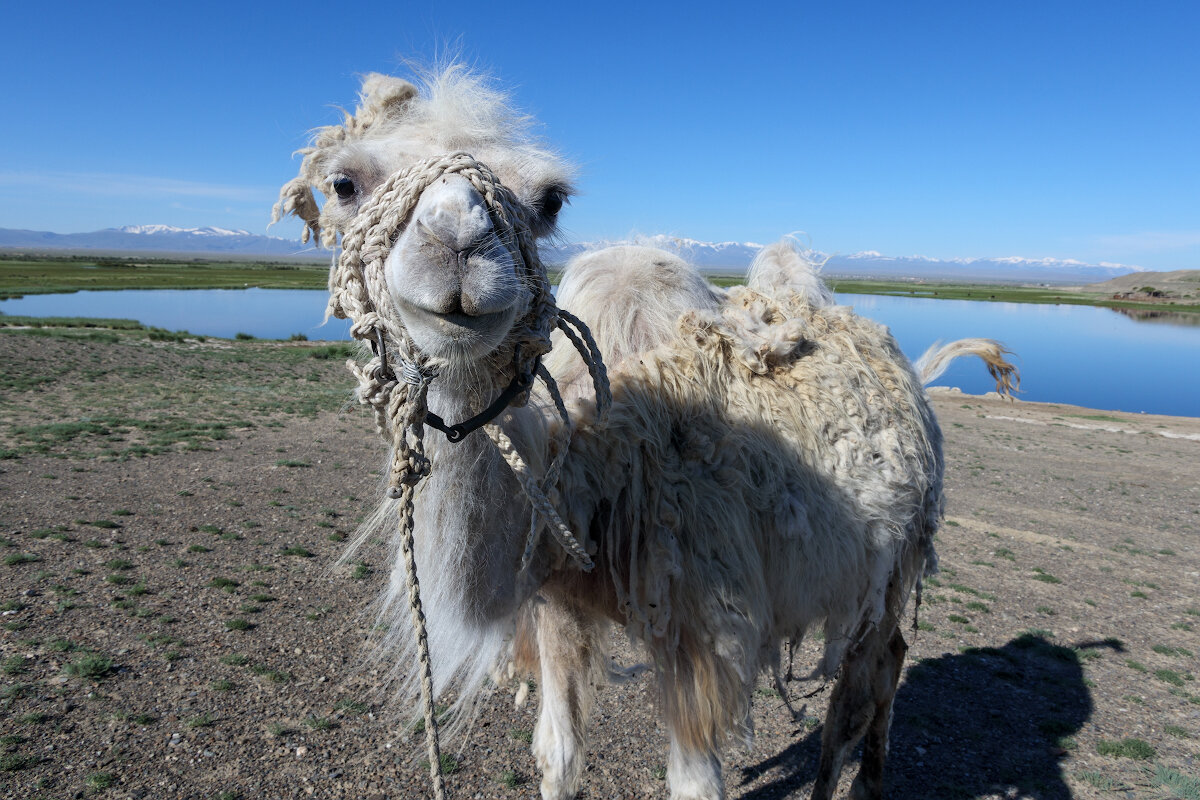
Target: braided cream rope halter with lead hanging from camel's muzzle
359,291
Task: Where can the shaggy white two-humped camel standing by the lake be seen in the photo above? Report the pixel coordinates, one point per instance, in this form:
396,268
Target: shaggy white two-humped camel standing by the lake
769,467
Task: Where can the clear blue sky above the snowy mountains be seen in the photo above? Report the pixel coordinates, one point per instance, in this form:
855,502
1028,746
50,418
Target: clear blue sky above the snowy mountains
1065,130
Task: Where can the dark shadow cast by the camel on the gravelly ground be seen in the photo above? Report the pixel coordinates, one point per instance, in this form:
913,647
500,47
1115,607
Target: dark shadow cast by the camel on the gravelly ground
985,723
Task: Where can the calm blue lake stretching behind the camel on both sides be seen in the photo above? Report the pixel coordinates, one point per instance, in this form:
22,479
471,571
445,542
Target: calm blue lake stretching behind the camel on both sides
1069,354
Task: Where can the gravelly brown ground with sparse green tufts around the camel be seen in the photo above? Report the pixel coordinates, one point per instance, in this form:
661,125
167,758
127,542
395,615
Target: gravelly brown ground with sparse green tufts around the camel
175,625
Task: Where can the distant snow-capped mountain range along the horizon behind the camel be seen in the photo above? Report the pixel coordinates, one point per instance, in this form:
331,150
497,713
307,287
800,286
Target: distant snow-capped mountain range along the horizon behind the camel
730,257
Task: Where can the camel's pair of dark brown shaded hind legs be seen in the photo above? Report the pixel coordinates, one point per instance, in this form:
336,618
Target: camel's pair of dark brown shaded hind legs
862,706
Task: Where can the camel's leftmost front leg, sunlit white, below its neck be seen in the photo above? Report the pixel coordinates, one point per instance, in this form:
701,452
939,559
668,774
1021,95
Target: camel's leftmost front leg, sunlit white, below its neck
572,658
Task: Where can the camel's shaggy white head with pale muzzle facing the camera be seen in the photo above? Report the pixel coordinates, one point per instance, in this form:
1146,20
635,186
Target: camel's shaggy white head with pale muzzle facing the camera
453,268
